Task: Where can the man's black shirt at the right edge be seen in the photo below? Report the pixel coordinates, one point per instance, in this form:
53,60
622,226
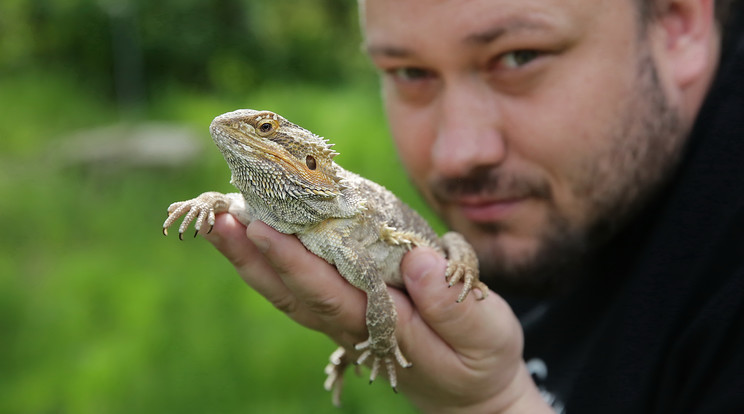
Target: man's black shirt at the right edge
660,326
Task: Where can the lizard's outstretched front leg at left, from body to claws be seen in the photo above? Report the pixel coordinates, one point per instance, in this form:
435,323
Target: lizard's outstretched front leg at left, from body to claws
204,208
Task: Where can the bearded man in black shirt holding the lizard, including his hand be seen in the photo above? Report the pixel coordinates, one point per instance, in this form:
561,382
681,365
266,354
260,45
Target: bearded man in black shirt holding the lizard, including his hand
591,151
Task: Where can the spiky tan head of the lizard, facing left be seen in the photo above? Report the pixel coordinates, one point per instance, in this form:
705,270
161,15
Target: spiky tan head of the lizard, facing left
274,157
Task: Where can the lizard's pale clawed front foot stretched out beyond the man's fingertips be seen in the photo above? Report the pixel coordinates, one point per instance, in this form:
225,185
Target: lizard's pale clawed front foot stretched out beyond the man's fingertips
202,209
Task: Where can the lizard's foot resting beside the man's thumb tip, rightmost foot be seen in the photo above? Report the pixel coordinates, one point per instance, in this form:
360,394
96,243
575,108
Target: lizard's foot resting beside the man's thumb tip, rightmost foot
462,265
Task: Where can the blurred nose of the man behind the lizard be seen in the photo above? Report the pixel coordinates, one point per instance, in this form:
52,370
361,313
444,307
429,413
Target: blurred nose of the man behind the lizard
469,130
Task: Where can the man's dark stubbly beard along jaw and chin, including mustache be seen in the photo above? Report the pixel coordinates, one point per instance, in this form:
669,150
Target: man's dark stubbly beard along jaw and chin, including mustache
645,148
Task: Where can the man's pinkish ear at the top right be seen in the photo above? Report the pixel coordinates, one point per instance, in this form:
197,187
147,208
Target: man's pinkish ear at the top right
689,36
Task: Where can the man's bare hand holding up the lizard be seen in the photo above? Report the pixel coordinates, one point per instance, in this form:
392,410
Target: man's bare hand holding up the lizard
466,356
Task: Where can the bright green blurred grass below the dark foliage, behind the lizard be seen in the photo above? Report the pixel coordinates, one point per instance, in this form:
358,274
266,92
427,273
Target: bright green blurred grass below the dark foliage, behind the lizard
99,313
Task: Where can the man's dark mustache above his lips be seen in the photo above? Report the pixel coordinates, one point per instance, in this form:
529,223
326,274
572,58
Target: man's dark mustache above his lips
490,184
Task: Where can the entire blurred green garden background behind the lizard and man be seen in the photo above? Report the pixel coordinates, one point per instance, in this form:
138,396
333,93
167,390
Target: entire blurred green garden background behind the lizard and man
104,108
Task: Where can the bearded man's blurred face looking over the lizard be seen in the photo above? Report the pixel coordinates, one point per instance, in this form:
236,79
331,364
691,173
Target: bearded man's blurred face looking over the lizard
533,127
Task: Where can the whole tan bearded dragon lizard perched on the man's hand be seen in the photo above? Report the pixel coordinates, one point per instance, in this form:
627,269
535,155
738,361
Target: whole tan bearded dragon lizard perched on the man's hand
287,178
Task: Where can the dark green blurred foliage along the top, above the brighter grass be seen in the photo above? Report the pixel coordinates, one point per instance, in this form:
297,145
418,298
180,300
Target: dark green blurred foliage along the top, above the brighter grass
130,48
